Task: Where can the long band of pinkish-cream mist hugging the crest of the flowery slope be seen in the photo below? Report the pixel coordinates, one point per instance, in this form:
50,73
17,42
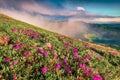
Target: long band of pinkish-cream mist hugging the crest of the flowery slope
67,27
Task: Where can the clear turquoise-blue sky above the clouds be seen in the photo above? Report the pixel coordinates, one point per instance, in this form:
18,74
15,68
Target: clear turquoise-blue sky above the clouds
105,7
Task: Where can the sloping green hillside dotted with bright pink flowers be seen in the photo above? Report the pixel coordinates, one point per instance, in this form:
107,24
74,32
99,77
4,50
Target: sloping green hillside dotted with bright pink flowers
31,53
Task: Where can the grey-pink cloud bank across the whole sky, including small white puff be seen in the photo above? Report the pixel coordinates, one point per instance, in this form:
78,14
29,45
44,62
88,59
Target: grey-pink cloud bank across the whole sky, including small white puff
32,7
